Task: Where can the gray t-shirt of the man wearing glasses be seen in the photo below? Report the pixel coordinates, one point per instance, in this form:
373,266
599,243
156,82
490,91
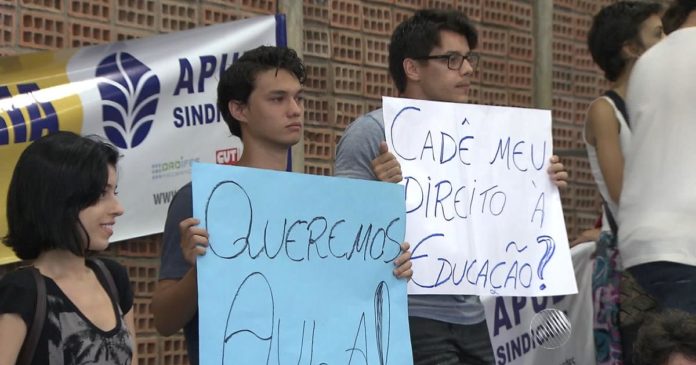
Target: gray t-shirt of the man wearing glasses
354,154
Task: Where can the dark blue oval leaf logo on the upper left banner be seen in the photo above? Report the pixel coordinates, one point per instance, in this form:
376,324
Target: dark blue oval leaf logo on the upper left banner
129,92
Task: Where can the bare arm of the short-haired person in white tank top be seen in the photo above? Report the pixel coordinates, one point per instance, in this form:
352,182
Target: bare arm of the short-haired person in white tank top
602,131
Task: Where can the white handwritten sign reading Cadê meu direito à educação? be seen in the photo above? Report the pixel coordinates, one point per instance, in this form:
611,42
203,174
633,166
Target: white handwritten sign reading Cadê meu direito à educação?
483,215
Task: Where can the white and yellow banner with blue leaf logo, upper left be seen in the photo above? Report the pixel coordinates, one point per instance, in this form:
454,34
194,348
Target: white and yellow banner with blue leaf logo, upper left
154,98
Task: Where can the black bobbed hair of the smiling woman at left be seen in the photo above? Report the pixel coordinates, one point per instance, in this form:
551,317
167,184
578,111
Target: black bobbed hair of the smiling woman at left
55,178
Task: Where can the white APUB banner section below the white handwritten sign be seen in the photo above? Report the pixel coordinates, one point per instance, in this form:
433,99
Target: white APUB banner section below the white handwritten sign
515,338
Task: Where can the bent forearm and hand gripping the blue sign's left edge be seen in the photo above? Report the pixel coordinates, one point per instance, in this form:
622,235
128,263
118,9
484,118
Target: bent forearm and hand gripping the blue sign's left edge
175,302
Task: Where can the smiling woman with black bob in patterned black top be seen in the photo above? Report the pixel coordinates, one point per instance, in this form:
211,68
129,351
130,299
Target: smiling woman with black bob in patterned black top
61,204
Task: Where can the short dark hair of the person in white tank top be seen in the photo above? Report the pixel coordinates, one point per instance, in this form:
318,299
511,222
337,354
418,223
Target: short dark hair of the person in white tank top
612,27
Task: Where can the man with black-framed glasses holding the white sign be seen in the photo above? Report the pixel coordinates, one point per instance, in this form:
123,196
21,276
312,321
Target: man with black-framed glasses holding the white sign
430,58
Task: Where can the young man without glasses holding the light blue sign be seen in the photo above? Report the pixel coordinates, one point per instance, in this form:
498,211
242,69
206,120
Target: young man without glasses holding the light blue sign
261,99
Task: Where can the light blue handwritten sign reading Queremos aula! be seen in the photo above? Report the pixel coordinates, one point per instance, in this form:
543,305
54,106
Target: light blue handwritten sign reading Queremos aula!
299,269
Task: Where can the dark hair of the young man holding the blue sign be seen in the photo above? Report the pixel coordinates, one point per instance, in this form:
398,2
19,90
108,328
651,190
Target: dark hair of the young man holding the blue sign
237,82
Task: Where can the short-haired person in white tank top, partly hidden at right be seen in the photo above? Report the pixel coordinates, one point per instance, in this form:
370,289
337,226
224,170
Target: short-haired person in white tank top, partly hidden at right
620,33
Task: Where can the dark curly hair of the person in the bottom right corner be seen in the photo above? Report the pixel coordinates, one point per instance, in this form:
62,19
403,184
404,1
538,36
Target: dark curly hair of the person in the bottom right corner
663,335
